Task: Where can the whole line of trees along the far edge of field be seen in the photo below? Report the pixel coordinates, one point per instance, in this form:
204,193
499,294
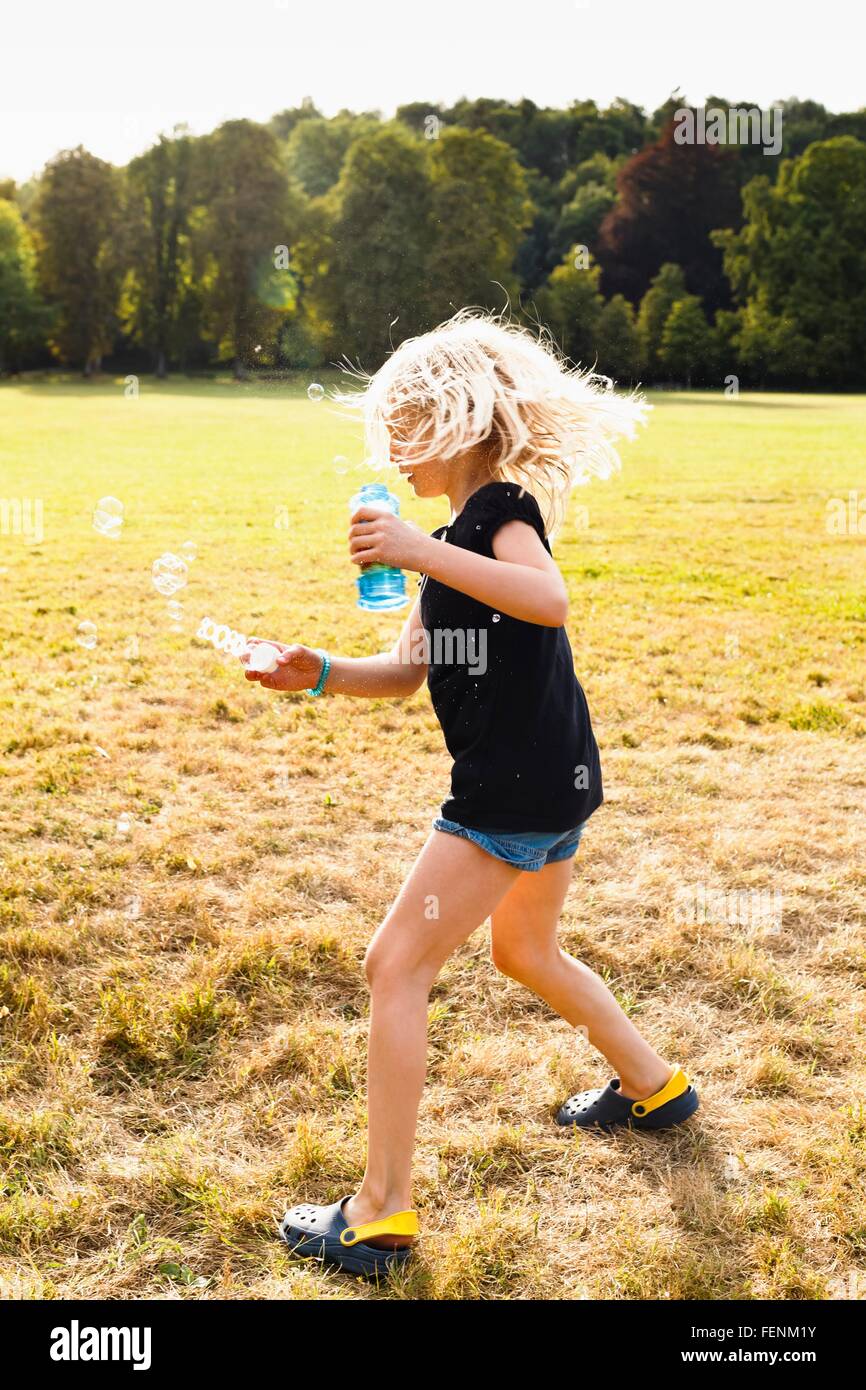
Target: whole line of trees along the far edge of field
313,240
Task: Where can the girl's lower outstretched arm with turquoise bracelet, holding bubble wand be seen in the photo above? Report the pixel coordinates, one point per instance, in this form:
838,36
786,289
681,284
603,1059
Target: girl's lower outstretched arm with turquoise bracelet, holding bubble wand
389,676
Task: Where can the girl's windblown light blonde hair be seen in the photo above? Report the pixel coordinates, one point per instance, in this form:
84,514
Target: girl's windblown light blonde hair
479,377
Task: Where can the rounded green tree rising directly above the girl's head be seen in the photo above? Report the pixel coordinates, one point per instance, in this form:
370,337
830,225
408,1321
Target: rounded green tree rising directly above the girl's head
480,212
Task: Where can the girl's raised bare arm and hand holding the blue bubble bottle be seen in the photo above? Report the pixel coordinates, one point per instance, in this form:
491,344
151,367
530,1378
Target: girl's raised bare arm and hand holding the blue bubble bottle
522,582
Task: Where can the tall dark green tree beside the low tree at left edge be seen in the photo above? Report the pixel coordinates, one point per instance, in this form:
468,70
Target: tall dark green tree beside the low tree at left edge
77,220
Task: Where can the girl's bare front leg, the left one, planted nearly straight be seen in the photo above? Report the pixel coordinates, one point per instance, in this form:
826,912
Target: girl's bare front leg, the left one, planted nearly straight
452,889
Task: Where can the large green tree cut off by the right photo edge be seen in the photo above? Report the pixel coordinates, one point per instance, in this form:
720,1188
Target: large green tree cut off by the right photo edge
799,266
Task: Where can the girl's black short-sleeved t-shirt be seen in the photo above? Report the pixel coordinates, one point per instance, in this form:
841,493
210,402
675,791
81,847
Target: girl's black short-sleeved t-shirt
512,710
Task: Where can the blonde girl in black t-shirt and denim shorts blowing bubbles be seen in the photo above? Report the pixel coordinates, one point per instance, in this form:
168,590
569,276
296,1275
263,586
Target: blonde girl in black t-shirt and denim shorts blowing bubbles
486,415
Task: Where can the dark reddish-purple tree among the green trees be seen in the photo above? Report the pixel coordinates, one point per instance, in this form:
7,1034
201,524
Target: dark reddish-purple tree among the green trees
672,197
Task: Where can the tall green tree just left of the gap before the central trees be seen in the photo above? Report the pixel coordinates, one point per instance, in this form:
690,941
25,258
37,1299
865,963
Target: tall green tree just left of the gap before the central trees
250,212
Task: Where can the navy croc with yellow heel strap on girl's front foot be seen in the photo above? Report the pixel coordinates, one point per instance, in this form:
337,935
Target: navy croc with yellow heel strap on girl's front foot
325,1234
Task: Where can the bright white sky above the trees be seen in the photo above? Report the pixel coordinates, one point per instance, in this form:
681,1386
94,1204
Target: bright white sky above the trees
112,76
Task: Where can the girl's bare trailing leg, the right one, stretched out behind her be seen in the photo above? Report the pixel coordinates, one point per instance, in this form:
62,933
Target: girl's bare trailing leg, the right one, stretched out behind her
526,949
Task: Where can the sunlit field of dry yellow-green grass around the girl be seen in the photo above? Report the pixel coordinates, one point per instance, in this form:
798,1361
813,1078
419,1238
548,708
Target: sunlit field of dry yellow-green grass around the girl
183,1006
